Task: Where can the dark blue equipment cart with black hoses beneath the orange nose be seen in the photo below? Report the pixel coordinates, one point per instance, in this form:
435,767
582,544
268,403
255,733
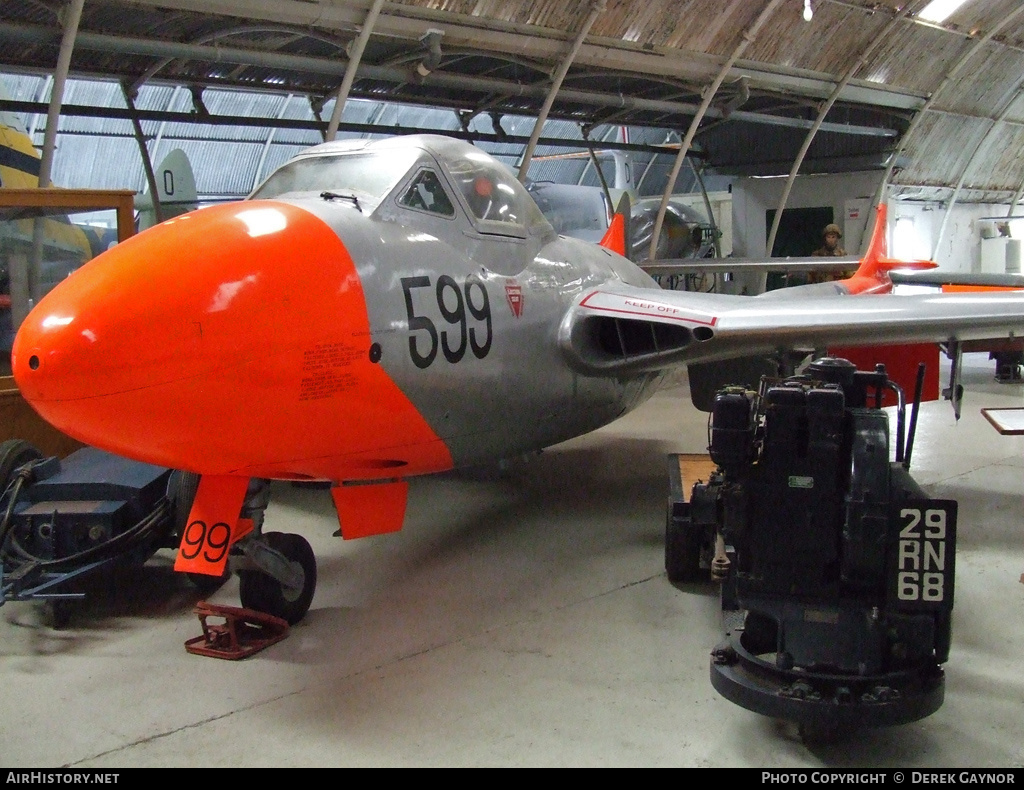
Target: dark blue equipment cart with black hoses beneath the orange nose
61,520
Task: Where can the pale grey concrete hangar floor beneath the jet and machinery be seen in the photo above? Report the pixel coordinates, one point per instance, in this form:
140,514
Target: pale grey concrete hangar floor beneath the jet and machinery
520,620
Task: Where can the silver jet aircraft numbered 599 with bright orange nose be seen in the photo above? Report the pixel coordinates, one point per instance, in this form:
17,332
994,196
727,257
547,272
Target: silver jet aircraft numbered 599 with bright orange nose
382,310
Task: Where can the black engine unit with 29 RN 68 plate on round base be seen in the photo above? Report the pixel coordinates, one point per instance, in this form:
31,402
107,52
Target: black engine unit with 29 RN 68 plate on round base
840,564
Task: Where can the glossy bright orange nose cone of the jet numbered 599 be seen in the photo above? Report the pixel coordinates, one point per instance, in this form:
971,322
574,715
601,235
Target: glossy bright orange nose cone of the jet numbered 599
193,345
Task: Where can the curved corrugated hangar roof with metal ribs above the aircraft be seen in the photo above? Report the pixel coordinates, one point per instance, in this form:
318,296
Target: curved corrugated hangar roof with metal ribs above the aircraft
942,104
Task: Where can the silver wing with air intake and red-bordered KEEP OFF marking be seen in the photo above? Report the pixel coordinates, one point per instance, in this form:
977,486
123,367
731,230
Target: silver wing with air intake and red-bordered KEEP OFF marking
621,329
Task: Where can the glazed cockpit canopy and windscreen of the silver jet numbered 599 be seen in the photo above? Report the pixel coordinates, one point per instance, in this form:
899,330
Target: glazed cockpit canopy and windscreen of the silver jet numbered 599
369,171
